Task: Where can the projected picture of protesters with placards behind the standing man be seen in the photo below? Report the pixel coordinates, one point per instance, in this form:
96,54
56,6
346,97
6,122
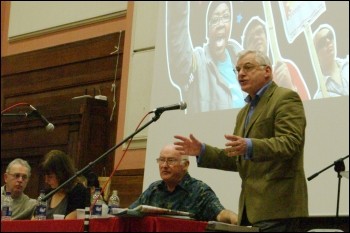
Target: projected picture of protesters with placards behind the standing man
203,39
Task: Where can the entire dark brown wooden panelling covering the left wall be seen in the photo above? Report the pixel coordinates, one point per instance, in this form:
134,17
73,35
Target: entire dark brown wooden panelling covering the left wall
49,78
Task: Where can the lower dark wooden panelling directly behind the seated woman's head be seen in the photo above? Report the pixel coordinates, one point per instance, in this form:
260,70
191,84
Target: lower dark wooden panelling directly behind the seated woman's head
81,130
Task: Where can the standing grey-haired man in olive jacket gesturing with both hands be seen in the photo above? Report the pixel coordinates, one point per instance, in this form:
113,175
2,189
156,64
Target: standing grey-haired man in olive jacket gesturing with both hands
266,149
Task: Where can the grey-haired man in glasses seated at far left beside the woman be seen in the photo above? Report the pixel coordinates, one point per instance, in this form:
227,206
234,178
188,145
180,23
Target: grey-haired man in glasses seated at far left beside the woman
16,179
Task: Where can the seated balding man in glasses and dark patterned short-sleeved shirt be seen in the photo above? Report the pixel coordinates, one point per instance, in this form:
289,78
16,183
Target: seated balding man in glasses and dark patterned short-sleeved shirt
179,191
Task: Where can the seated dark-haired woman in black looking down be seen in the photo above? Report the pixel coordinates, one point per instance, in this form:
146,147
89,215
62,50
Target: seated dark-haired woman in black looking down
58,167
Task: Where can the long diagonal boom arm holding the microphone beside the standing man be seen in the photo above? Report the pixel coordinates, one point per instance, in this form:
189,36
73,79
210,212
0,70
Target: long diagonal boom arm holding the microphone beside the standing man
78,173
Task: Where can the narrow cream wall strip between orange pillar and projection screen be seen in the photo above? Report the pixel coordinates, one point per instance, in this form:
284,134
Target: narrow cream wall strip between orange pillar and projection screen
141,69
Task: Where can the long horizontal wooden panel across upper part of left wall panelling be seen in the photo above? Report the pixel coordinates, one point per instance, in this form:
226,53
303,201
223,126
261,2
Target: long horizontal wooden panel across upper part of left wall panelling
59,84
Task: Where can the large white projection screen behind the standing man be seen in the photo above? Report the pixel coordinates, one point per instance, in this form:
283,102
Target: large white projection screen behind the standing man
286,31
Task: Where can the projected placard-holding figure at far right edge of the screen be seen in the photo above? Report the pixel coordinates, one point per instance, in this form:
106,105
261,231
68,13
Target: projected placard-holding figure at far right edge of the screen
335,70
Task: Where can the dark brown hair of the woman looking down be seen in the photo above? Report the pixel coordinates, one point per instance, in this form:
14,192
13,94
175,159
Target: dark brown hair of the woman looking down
59,163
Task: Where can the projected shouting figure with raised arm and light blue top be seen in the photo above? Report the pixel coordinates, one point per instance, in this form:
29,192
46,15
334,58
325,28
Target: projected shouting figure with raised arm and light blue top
204,74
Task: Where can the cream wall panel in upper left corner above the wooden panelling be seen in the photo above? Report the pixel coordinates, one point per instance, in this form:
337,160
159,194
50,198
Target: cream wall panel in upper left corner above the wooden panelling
35,17
